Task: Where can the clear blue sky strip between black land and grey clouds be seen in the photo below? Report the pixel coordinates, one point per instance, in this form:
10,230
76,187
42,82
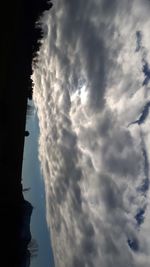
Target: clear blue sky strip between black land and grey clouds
32,178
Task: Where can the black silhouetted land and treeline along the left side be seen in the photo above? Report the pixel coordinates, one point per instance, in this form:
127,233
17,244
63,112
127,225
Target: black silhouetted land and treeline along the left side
18,46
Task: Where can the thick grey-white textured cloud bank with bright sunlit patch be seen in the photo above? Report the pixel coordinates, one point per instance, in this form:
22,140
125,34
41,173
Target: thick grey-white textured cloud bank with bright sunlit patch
91,91
